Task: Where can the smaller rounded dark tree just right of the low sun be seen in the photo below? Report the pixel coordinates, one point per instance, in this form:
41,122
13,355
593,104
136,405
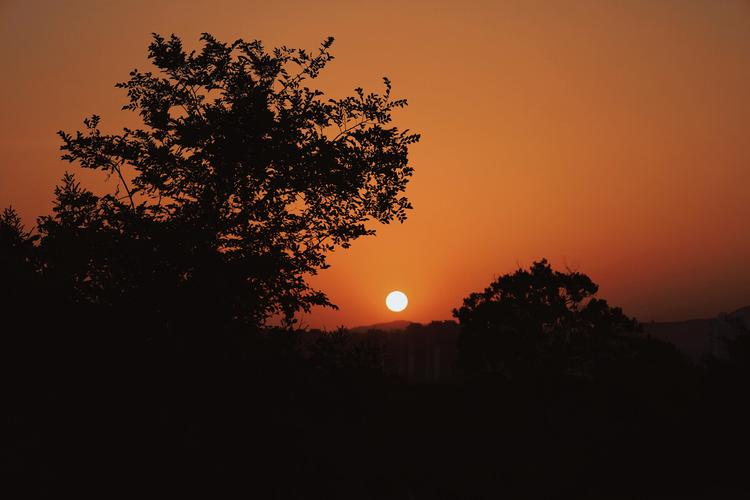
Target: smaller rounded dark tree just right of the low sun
537,318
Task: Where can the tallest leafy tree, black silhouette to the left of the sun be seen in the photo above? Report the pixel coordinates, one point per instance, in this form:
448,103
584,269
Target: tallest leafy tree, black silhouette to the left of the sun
240,181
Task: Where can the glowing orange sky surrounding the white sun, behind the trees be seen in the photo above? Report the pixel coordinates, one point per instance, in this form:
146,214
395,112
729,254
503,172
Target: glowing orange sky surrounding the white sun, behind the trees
611,137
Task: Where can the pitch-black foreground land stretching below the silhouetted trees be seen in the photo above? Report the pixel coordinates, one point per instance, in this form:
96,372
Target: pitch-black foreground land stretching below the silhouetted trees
255,417
